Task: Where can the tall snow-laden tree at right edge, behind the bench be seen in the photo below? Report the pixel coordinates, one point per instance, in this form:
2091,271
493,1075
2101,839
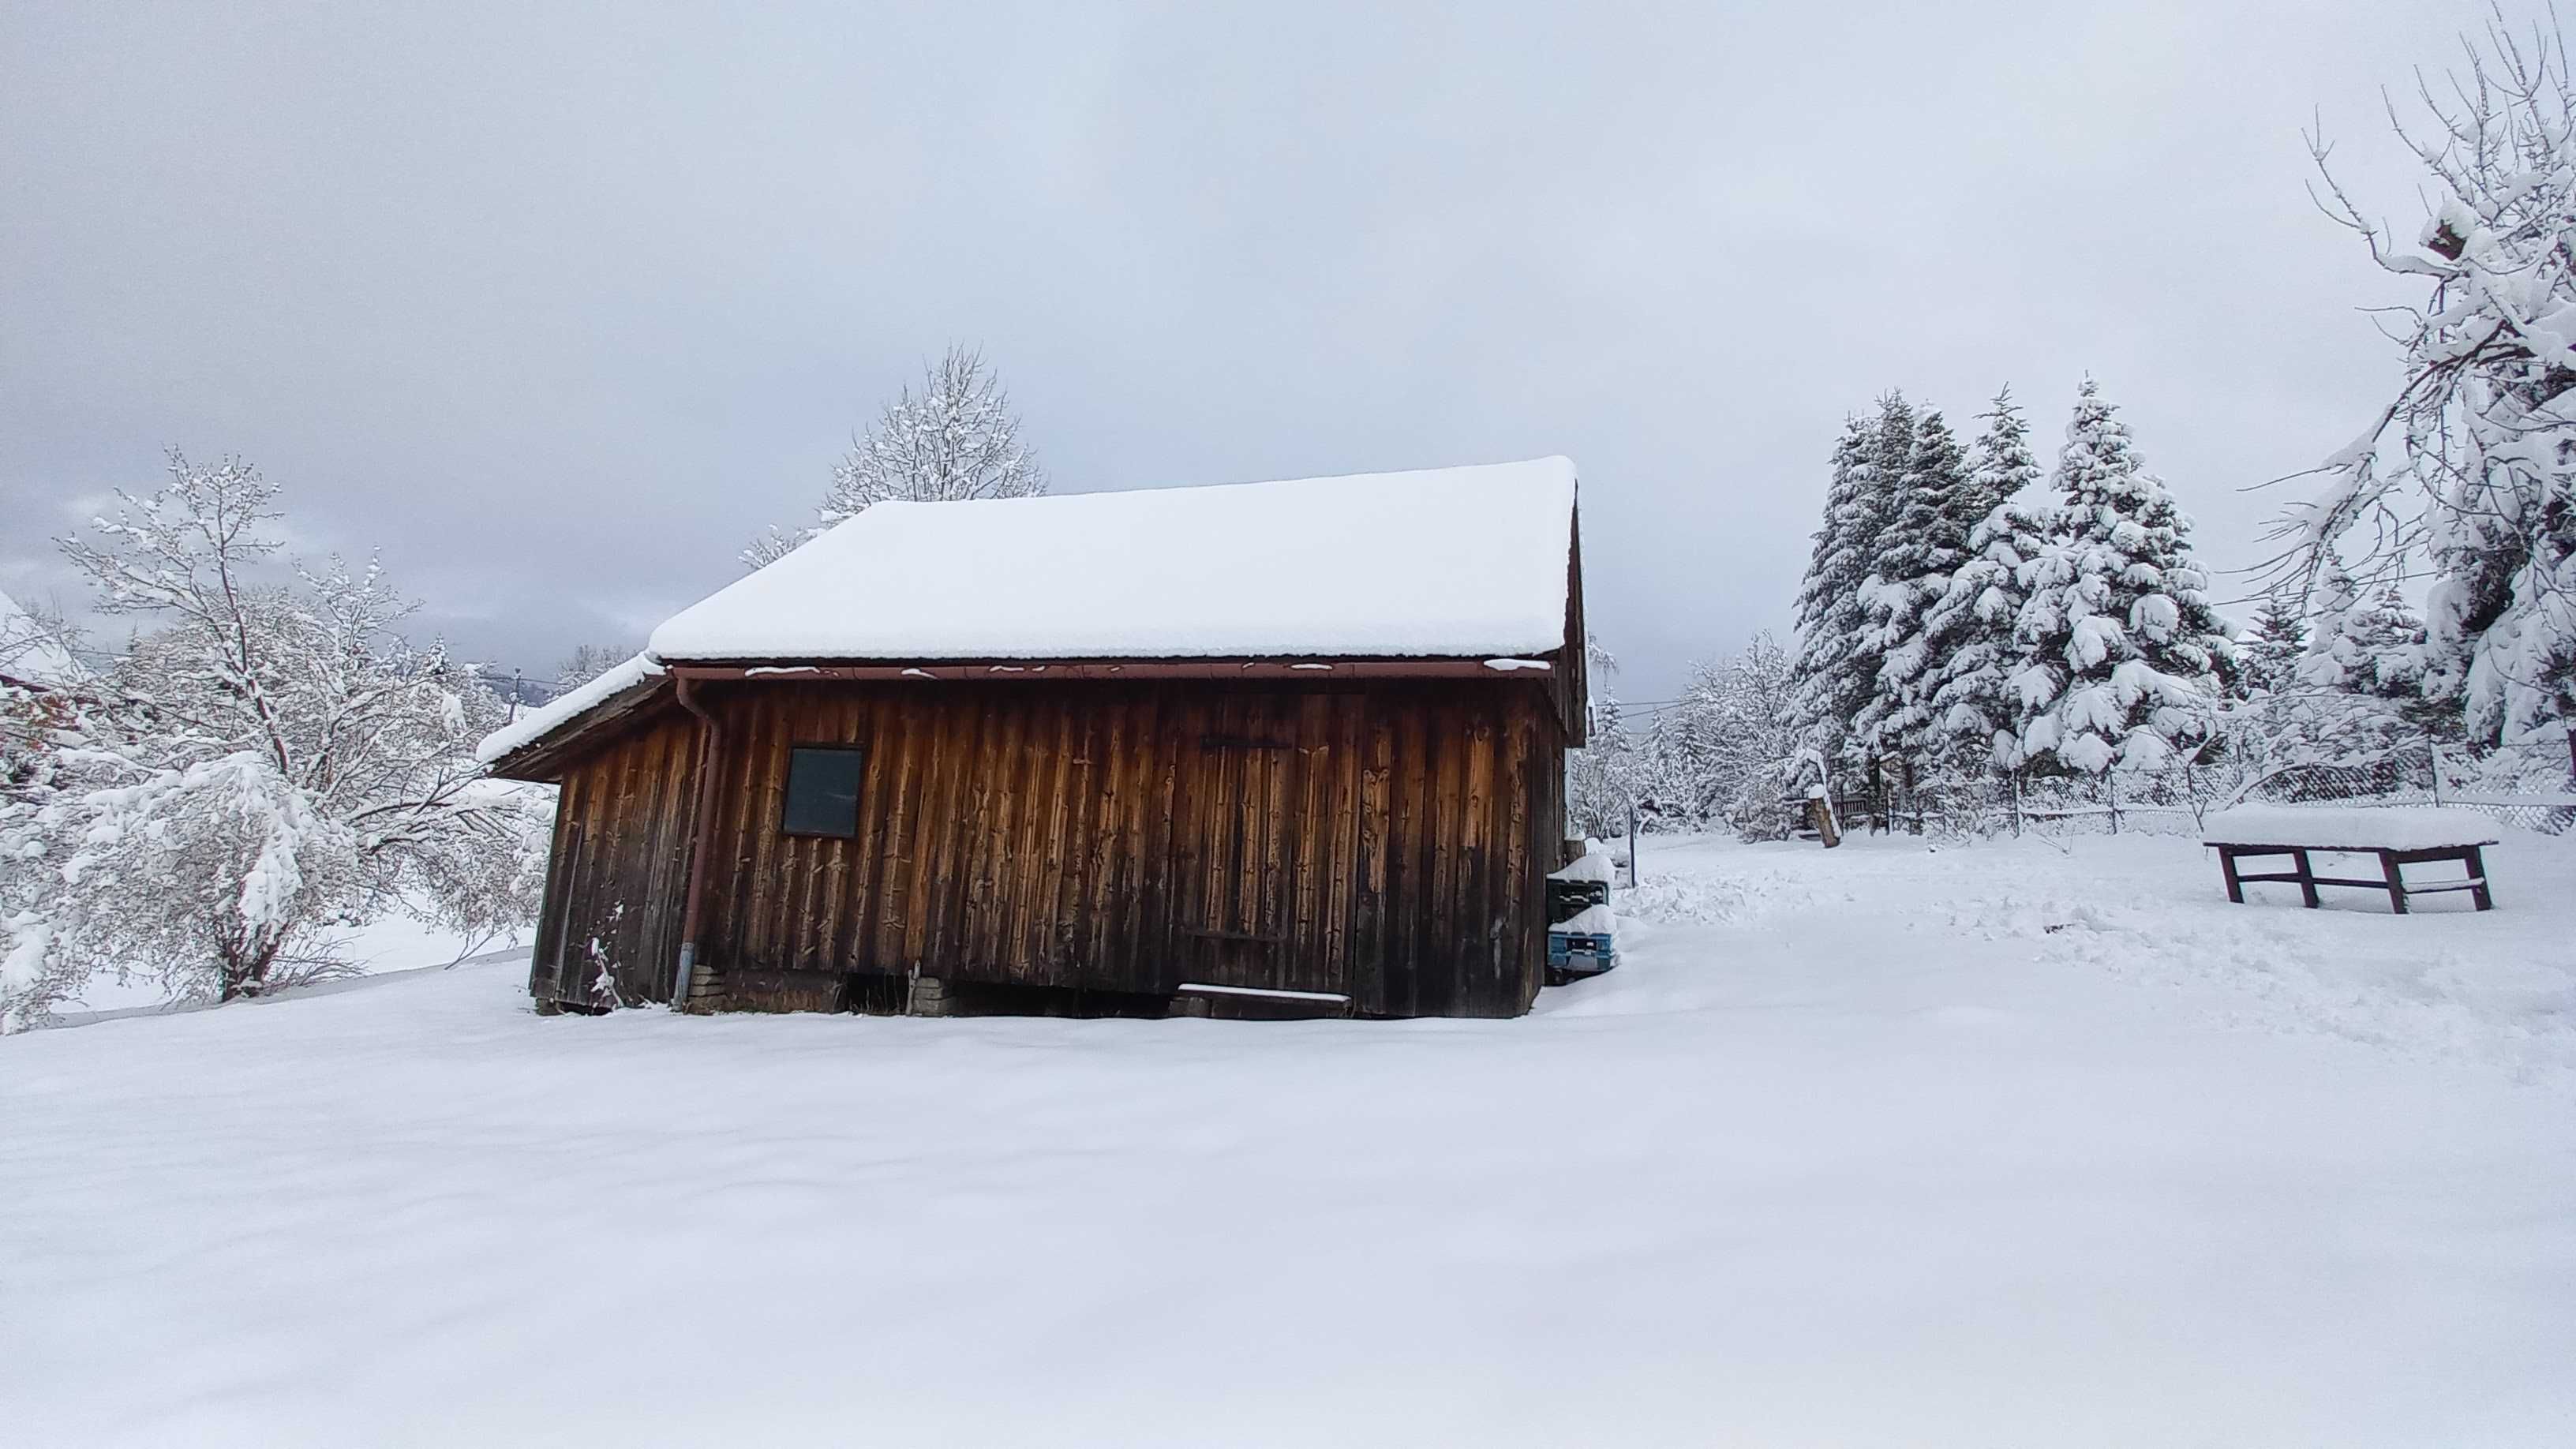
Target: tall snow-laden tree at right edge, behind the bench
2472,465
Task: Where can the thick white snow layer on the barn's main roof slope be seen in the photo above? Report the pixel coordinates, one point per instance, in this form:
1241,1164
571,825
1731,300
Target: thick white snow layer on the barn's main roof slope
1467,561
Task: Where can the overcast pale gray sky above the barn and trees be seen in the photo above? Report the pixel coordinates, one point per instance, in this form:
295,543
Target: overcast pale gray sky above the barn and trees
560,306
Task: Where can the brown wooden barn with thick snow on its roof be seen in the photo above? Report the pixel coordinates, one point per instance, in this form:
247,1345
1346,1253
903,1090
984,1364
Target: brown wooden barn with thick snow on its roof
1251,749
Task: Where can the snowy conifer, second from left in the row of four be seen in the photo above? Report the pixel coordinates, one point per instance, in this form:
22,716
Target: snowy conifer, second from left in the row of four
1923,550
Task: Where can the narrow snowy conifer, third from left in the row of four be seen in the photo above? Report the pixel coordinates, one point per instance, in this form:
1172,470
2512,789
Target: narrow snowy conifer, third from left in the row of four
1975,715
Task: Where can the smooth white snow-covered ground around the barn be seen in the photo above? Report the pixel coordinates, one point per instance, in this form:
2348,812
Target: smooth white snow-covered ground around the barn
1982,1146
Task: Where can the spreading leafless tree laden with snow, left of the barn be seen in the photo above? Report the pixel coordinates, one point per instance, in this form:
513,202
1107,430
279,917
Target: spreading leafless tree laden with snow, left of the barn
272,762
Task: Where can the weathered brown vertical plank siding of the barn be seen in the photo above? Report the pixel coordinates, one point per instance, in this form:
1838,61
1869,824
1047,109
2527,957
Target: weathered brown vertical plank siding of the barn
1379,842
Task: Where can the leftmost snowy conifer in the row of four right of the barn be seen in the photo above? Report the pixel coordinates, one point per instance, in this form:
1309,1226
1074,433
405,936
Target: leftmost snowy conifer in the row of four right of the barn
1838,659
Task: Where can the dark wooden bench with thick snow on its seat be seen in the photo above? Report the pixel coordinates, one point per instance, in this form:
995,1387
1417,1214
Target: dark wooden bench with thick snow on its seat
2397,837
